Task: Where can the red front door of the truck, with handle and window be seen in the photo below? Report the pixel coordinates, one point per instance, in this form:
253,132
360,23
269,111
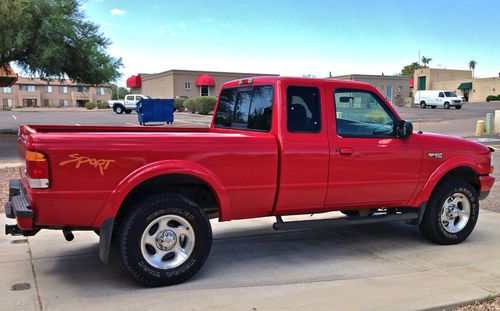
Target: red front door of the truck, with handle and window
369,165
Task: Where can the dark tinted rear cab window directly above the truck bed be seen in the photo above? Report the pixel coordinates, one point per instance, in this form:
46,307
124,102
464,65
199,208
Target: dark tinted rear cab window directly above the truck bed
248,108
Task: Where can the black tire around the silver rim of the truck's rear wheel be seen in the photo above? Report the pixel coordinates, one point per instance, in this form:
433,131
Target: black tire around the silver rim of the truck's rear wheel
131,233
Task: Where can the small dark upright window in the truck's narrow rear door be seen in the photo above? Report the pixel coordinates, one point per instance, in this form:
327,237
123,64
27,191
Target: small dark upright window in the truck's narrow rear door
303,107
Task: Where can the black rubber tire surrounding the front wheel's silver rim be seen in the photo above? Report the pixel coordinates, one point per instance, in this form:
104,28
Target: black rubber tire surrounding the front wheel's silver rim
432,226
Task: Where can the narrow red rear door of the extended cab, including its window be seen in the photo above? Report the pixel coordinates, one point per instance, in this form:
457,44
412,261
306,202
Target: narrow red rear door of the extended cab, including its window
304,150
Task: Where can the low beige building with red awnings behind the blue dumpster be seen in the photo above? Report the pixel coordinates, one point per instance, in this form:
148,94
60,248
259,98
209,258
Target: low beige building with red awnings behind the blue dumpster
183,83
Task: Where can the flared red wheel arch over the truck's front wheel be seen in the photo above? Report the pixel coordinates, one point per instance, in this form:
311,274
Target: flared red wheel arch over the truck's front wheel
452,169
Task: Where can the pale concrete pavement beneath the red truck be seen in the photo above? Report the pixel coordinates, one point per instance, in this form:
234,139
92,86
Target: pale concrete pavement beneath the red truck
371,267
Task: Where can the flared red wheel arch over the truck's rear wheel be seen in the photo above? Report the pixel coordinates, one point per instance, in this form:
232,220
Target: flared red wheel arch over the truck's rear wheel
162,176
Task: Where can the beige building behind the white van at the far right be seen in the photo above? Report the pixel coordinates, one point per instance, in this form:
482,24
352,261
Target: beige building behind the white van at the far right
460,81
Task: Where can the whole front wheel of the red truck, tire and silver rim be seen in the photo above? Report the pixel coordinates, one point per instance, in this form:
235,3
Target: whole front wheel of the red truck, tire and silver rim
451,213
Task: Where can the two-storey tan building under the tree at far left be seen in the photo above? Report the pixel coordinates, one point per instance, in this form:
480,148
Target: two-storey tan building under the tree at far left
28,92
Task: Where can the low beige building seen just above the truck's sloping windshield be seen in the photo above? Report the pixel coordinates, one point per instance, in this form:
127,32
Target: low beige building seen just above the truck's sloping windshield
395,88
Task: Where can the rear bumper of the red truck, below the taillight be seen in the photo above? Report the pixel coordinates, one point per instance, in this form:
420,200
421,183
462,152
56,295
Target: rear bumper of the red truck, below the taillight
18,206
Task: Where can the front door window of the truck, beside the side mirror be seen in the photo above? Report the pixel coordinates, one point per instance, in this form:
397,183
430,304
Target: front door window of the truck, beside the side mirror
362,114
